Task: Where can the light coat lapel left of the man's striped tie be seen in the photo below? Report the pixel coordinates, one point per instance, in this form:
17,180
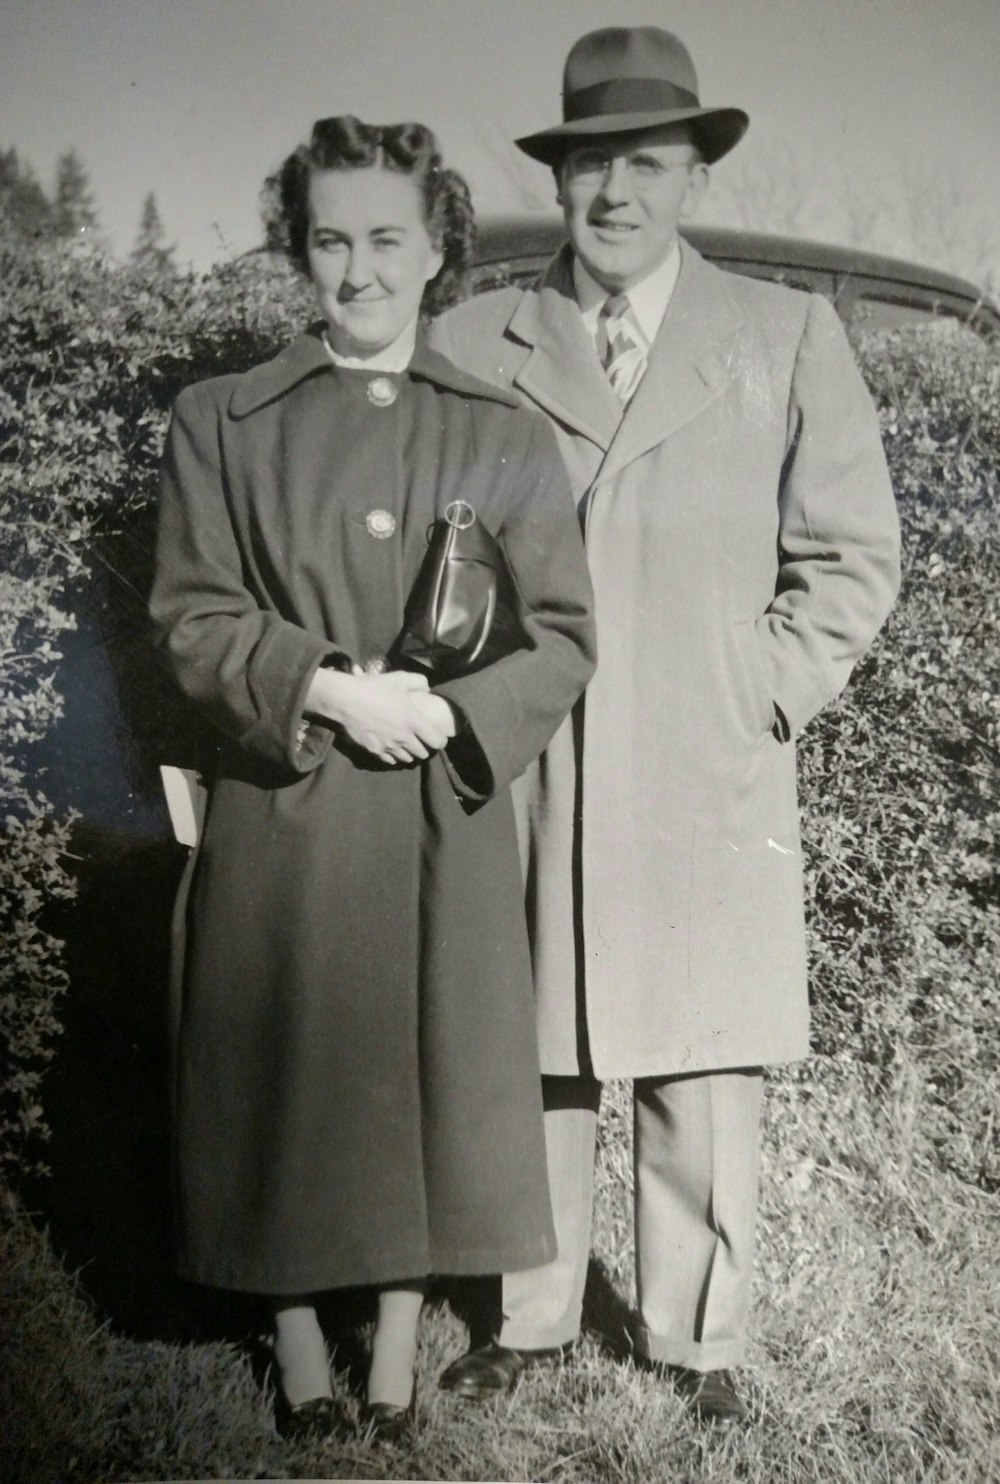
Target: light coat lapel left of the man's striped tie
562,375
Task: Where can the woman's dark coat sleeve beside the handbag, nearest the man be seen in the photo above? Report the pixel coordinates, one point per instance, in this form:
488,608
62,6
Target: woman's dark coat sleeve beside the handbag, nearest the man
513,709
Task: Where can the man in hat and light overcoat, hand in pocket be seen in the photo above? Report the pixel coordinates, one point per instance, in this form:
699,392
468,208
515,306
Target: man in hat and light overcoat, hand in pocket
744,545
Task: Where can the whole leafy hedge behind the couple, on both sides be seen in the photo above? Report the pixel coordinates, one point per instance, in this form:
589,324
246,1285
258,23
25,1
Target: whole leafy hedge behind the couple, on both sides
898,781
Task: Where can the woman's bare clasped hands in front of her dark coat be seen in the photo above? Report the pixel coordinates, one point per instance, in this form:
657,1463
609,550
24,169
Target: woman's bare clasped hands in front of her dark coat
394,716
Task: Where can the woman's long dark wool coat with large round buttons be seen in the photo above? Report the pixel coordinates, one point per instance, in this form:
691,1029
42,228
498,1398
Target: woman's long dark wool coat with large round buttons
357,1080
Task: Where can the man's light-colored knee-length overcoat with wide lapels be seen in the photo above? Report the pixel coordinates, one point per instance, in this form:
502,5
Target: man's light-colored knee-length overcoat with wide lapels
744,547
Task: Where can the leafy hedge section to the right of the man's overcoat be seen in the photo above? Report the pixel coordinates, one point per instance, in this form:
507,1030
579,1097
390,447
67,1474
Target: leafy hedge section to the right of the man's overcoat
900,781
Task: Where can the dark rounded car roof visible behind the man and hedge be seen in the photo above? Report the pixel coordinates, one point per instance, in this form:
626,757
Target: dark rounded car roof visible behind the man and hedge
869,290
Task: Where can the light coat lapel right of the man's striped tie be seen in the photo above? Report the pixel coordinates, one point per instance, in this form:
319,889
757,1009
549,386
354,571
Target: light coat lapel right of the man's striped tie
691,363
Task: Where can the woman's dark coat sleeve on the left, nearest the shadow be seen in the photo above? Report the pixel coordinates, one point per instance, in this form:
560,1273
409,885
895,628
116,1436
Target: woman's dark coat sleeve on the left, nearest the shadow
246,667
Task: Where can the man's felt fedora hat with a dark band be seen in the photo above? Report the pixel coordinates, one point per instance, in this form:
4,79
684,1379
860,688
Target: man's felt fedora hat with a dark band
633,78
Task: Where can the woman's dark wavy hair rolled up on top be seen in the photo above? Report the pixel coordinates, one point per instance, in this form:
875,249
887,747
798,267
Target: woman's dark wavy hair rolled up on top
348,145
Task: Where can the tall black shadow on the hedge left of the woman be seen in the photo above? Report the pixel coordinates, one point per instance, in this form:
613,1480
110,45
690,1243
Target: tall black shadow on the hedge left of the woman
108,1198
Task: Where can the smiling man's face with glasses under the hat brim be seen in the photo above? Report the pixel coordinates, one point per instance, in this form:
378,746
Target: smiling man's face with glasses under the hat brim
624,197
